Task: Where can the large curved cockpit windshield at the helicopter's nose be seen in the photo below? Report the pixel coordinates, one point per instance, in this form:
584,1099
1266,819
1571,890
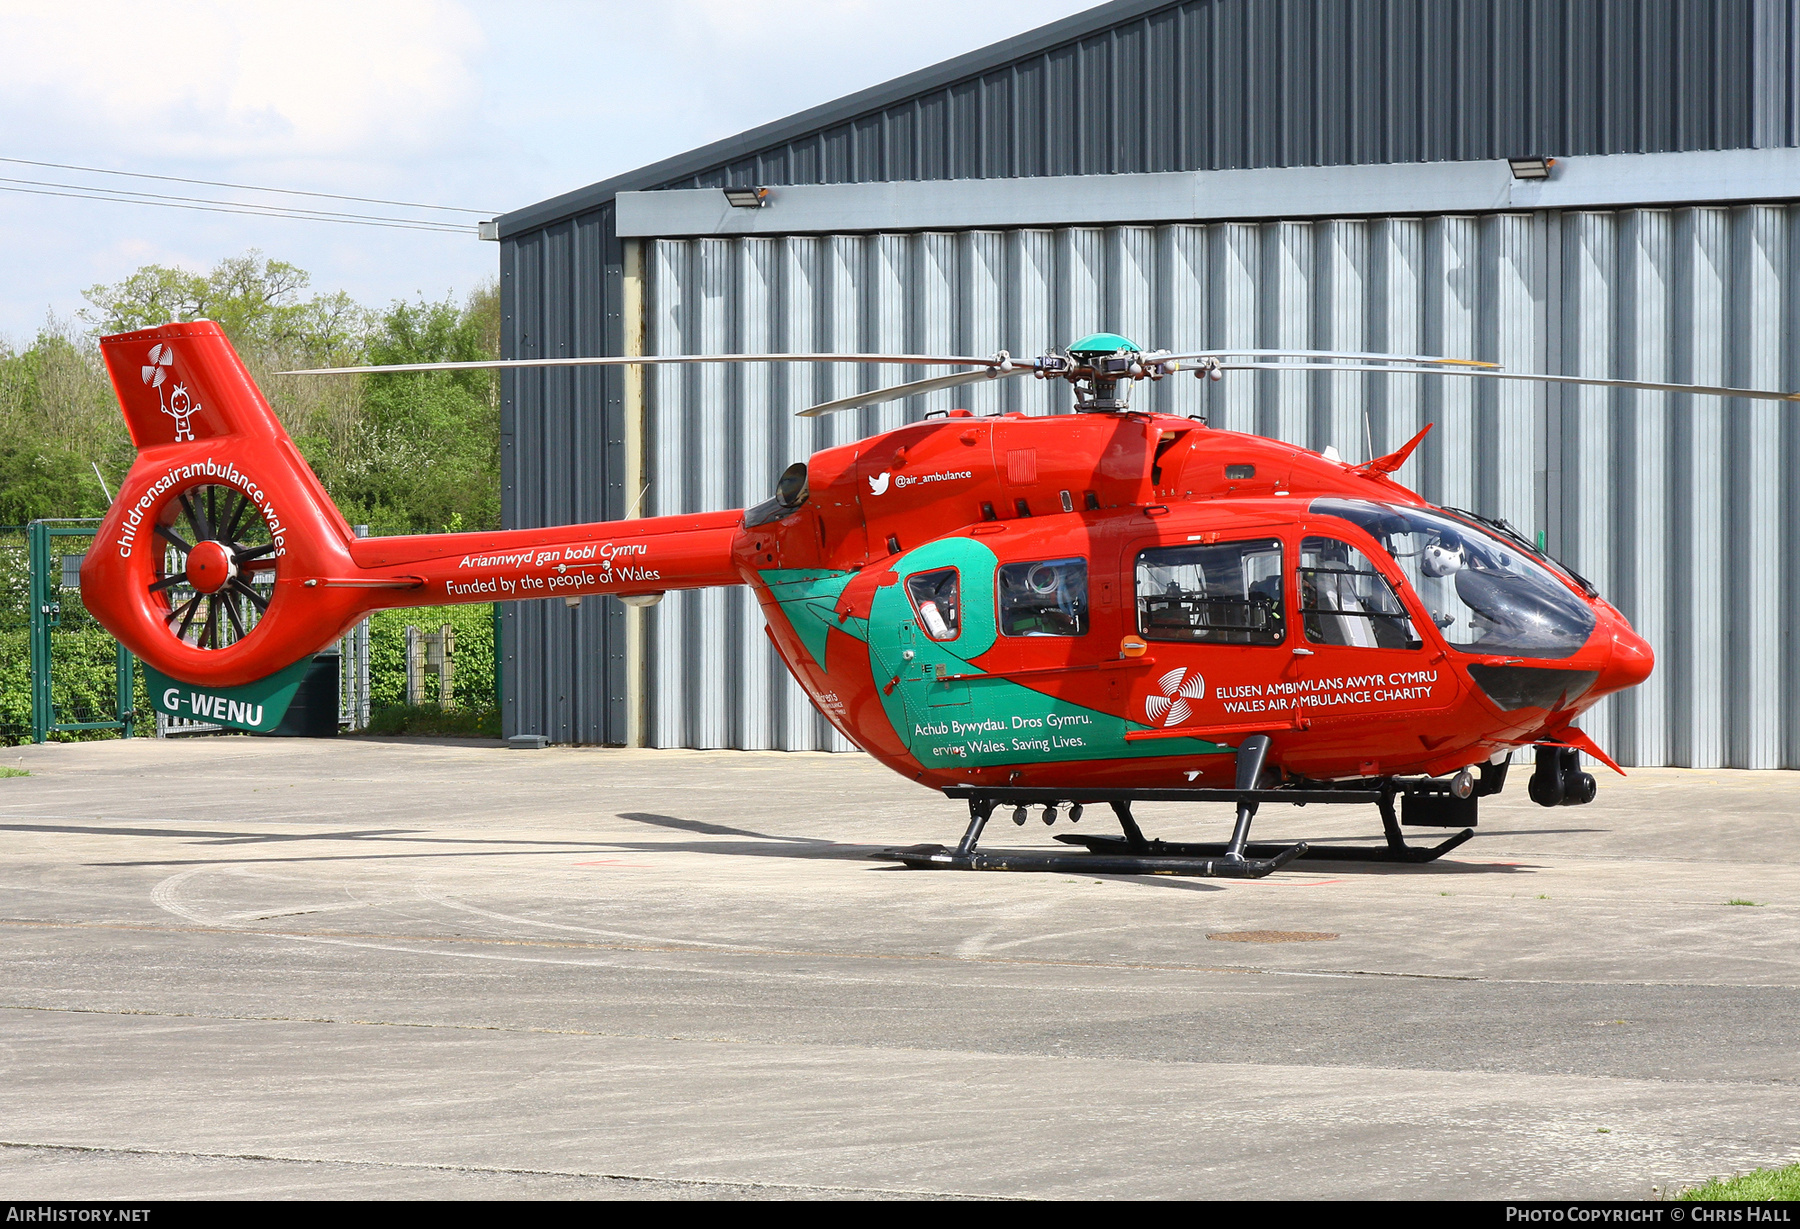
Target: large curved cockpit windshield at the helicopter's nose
1484,593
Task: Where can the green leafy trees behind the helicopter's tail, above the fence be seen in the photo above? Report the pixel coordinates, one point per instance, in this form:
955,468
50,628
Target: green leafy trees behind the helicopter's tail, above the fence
404,454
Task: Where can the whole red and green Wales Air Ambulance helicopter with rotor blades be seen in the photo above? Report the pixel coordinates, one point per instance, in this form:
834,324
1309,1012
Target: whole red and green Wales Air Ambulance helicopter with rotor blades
1025,613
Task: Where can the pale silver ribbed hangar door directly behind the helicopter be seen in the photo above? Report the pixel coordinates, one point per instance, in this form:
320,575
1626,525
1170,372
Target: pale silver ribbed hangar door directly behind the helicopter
1675,507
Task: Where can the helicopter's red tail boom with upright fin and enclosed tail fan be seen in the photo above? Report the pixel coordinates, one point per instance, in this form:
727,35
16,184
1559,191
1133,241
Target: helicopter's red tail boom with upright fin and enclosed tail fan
224,561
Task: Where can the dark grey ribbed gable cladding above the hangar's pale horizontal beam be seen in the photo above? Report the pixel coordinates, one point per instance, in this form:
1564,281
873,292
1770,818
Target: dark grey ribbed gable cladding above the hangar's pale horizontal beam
1266,84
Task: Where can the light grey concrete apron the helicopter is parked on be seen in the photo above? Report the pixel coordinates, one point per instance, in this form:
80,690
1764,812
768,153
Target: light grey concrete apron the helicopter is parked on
451,969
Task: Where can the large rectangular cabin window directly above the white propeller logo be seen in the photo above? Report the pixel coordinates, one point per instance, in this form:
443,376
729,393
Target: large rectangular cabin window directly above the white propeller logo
1223,593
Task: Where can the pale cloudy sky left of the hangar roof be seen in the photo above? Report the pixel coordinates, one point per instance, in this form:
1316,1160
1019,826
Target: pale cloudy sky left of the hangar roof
467,103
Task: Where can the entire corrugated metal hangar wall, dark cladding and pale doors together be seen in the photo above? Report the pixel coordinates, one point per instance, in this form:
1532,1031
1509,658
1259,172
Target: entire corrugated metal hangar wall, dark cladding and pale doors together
1675,507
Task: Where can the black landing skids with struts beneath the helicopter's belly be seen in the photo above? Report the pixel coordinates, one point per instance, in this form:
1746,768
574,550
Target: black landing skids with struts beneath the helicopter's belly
1137,856
